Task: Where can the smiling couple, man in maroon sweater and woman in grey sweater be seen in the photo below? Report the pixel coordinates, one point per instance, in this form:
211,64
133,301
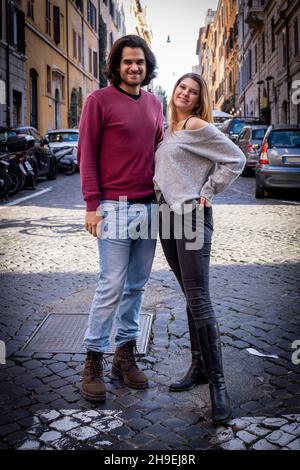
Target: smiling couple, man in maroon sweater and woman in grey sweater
122,152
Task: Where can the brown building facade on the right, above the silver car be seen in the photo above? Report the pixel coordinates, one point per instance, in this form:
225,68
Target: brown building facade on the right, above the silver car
269,56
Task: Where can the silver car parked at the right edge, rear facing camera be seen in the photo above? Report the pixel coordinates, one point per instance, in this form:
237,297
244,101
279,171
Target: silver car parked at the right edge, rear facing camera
279,160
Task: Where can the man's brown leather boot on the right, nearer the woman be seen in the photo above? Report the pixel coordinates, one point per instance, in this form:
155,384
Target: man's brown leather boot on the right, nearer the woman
124,366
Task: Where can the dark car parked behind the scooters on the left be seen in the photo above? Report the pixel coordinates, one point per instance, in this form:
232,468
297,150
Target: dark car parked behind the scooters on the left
43,162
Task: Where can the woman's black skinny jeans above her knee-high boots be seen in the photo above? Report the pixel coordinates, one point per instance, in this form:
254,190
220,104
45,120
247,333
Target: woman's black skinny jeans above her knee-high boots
191,267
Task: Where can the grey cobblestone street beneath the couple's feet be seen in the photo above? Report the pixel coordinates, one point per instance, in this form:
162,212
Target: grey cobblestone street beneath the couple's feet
49,263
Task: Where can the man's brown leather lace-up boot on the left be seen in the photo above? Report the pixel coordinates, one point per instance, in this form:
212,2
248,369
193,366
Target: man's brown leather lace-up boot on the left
93,386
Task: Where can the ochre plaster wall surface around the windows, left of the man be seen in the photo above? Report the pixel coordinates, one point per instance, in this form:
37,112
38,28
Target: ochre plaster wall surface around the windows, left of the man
67,72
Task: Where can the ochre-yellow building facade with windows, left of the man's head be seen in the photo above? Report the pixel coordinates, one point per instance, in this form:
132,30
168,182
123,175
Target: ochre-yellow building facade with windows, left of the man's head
66,67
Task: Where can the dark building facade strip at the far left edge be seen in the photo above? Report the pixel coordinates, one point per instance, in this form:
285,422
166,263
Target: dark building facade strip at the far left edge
12,63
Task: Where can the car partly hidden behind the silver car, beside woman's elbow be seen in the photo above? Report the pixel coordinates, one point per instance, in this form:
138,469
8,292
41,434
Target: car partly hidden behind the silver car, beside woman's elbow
249,141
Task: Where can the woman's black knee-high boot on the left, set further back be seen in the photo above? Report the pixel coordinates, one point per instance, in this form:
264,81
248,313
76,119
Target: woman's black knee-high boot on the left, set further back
196,372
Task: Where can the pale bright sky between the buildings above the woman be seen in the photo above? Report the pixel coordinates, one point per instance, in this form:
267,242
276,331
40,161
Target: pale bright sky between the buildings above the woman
181,20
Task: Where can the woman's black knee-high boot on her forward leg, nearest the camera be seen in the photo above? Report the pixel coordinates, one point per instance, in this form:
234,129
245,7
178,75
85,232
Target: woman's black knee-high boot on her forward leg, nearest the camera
209,339
